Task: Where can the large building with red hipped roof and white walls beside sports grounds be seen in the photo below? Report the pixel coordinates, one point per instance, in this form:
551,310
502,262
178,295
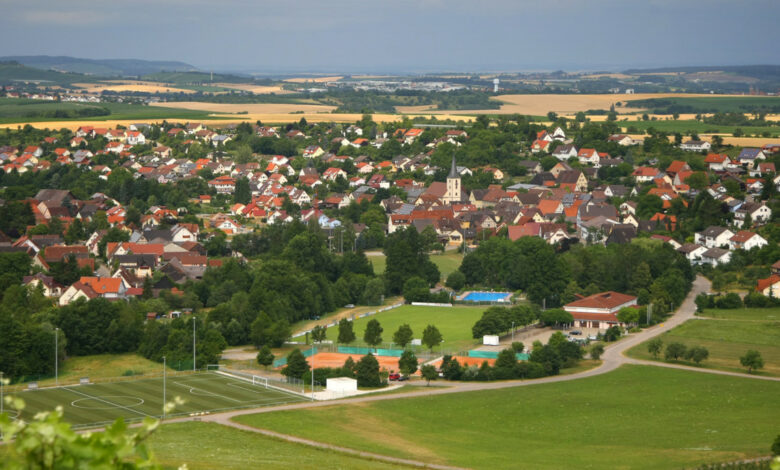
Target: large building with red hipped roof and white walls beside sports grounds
599,311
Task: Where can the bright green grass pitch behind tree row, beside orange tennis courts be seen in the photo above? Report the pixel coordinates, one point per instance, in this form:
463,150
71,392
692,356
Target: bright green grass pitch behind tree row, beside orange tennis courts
454,323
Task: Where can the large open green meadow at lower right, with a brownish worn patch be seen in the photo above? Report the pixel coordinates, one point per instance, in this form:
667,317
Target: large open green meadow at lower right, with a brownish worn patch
635,417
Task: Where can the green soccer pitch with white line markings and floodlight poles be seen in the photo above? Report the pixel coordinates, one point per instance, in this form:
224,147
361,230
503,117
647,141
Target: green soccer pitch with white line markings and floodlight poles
101,403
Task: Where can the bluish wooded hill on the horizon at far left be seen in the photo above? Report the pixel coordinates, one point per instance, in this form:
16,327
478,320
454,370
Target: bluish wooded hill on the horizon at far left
100,67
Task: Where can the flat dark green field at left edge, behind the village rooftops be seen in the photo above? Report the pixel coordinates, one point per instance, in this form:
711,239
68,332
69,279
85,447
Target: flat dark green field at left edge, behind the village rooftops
18,110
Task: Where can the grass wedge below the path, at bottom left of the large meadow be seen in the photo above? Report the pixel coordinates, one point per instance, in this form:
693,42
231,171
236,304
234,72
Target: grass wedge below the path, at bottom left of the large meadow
210,445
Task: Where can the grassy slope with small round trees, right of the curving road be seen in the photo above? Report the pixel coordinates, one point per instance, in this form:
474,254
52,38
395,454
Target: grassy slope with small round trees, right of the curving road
727,341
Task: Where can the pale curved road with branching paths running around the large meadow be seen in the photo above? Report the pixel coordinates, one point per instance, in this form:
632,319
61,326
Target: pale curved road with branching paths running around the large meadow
612,358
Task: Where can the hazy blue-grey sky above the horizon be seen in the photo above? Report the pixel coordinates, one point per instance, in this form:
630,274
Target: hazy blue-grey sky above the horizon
381,36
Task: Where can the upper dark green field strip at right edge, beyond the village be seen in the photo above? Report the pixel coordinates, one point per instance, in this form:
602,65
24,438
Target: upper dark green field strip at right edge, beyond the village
714,104
